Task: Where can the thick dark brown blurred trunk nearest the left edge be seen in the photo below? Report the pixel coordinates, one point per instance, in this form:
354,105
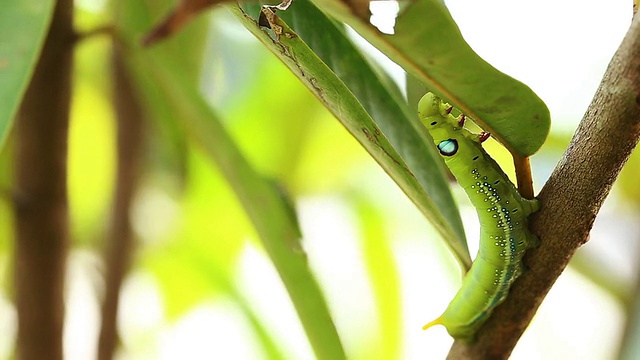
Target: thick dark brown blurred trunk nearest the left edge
41,213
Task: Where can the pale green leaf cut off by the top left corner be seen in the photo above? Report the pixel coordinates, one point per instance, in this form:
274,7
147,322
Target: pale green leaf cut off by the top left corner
27,21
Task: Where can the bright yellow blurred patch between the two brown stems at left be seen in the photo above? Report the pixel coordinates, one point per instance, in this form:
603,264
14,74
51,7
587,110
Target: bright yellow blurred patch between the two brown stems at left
91,154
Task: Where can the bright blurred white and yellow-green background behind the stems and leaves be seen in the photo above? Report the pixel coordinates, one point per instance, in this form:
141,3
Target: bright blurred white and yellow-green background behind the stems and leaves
201,286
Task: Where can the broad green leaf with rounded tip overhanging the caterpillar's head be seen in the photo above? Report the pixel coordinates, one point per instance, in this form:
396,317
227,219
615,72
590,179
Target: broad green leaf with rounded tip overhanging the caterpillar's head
428,44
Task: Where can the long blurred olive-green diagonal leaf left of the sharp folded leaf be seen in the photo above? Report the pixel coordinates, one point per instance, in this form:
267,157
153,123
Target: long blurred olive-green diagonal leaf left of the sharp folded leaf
269,212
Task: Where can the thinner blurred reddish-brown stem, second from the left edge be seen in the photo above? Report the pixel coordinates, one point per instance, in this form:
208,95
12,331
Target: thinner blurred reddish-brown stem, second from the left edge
120,244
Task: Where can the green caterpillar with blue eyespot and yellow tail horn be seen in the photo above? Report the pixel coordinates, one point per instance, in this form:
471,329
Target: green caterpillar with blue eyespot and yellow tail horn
504,236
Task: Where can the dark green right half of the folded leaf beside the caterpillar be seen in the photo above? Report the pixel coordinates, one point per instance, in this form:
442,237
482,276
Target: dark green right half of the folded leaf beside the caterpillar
383,101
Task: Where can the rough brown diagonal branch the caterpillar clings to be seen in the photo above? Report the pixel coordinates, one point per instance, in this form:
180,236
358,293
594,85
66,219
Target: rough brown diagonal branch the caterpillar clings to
571,199
